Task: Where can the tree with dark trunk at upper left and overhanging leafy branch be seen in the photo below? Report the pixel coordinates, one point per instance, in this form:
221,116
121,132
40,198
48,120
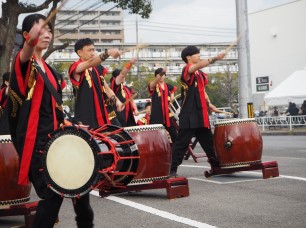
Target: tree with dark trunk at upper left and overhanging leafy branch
11,9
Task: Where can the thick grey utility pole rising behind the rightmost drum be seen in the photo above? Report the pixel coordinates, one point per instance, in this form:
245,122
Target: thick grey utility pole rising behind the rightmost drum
244,66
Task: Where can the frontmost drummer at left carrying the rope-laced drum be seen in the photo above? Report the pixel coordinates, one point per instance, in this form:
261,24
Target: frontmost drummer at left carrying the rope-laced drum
34,113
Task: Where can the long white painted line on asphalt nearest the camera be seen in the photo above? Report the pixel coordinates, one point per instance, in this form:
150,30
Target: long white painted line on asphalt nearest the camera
154,211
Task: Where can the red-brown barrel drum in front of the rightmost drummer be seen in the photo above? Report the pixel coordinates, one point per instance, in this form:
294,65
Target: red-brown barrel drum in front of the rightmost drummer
238,143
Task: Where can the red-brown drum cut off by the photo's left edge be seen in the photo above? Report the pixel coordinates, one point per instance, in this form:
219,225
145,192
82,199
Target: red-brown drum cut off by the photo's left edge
10,192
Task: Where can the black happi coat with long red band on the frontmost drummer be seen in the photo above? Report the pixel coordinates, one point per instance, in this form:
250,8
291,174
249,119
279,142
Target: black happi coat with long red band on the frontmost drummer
33,114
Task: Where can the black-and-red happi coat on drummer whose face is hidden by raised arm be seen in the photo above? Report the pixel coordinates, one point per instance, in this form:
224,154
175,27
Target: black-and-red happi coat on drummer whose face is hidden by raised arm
123,93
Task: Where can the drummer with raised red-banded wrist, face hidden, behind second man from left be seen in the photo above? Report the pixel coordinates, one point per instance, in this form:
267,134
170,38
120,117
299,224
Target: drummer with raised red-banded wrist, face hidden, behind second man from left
123,92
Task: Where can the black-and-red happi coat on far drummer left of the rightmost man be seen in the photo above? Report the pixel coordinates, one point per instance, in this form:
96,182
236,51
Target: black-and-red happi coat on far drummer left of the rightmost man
160,113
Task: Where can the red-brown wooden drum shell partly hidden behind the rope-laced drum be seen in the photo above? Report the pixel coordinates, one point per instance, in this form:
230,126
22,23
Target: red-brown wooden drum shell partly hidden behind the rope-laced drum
155,153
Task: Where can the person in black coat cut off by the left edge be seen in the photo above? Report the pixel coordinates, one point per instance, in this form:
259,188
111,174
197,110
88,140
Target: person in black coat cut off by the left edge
4,127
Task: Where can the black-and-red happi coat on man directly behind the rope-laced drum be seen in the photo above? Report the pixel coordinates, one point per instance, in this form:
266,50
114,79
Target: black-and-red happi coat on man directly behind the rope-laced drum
90,107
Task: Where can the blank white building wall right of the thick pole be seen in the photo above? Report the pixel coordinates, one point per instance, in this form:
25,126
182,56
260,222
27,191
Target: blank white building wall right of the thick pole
277,44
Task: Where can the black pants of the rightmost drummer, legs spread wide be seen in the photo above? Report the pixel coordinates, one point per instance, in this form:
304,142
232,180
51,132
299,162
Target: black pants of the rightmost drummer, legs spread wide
204,137
